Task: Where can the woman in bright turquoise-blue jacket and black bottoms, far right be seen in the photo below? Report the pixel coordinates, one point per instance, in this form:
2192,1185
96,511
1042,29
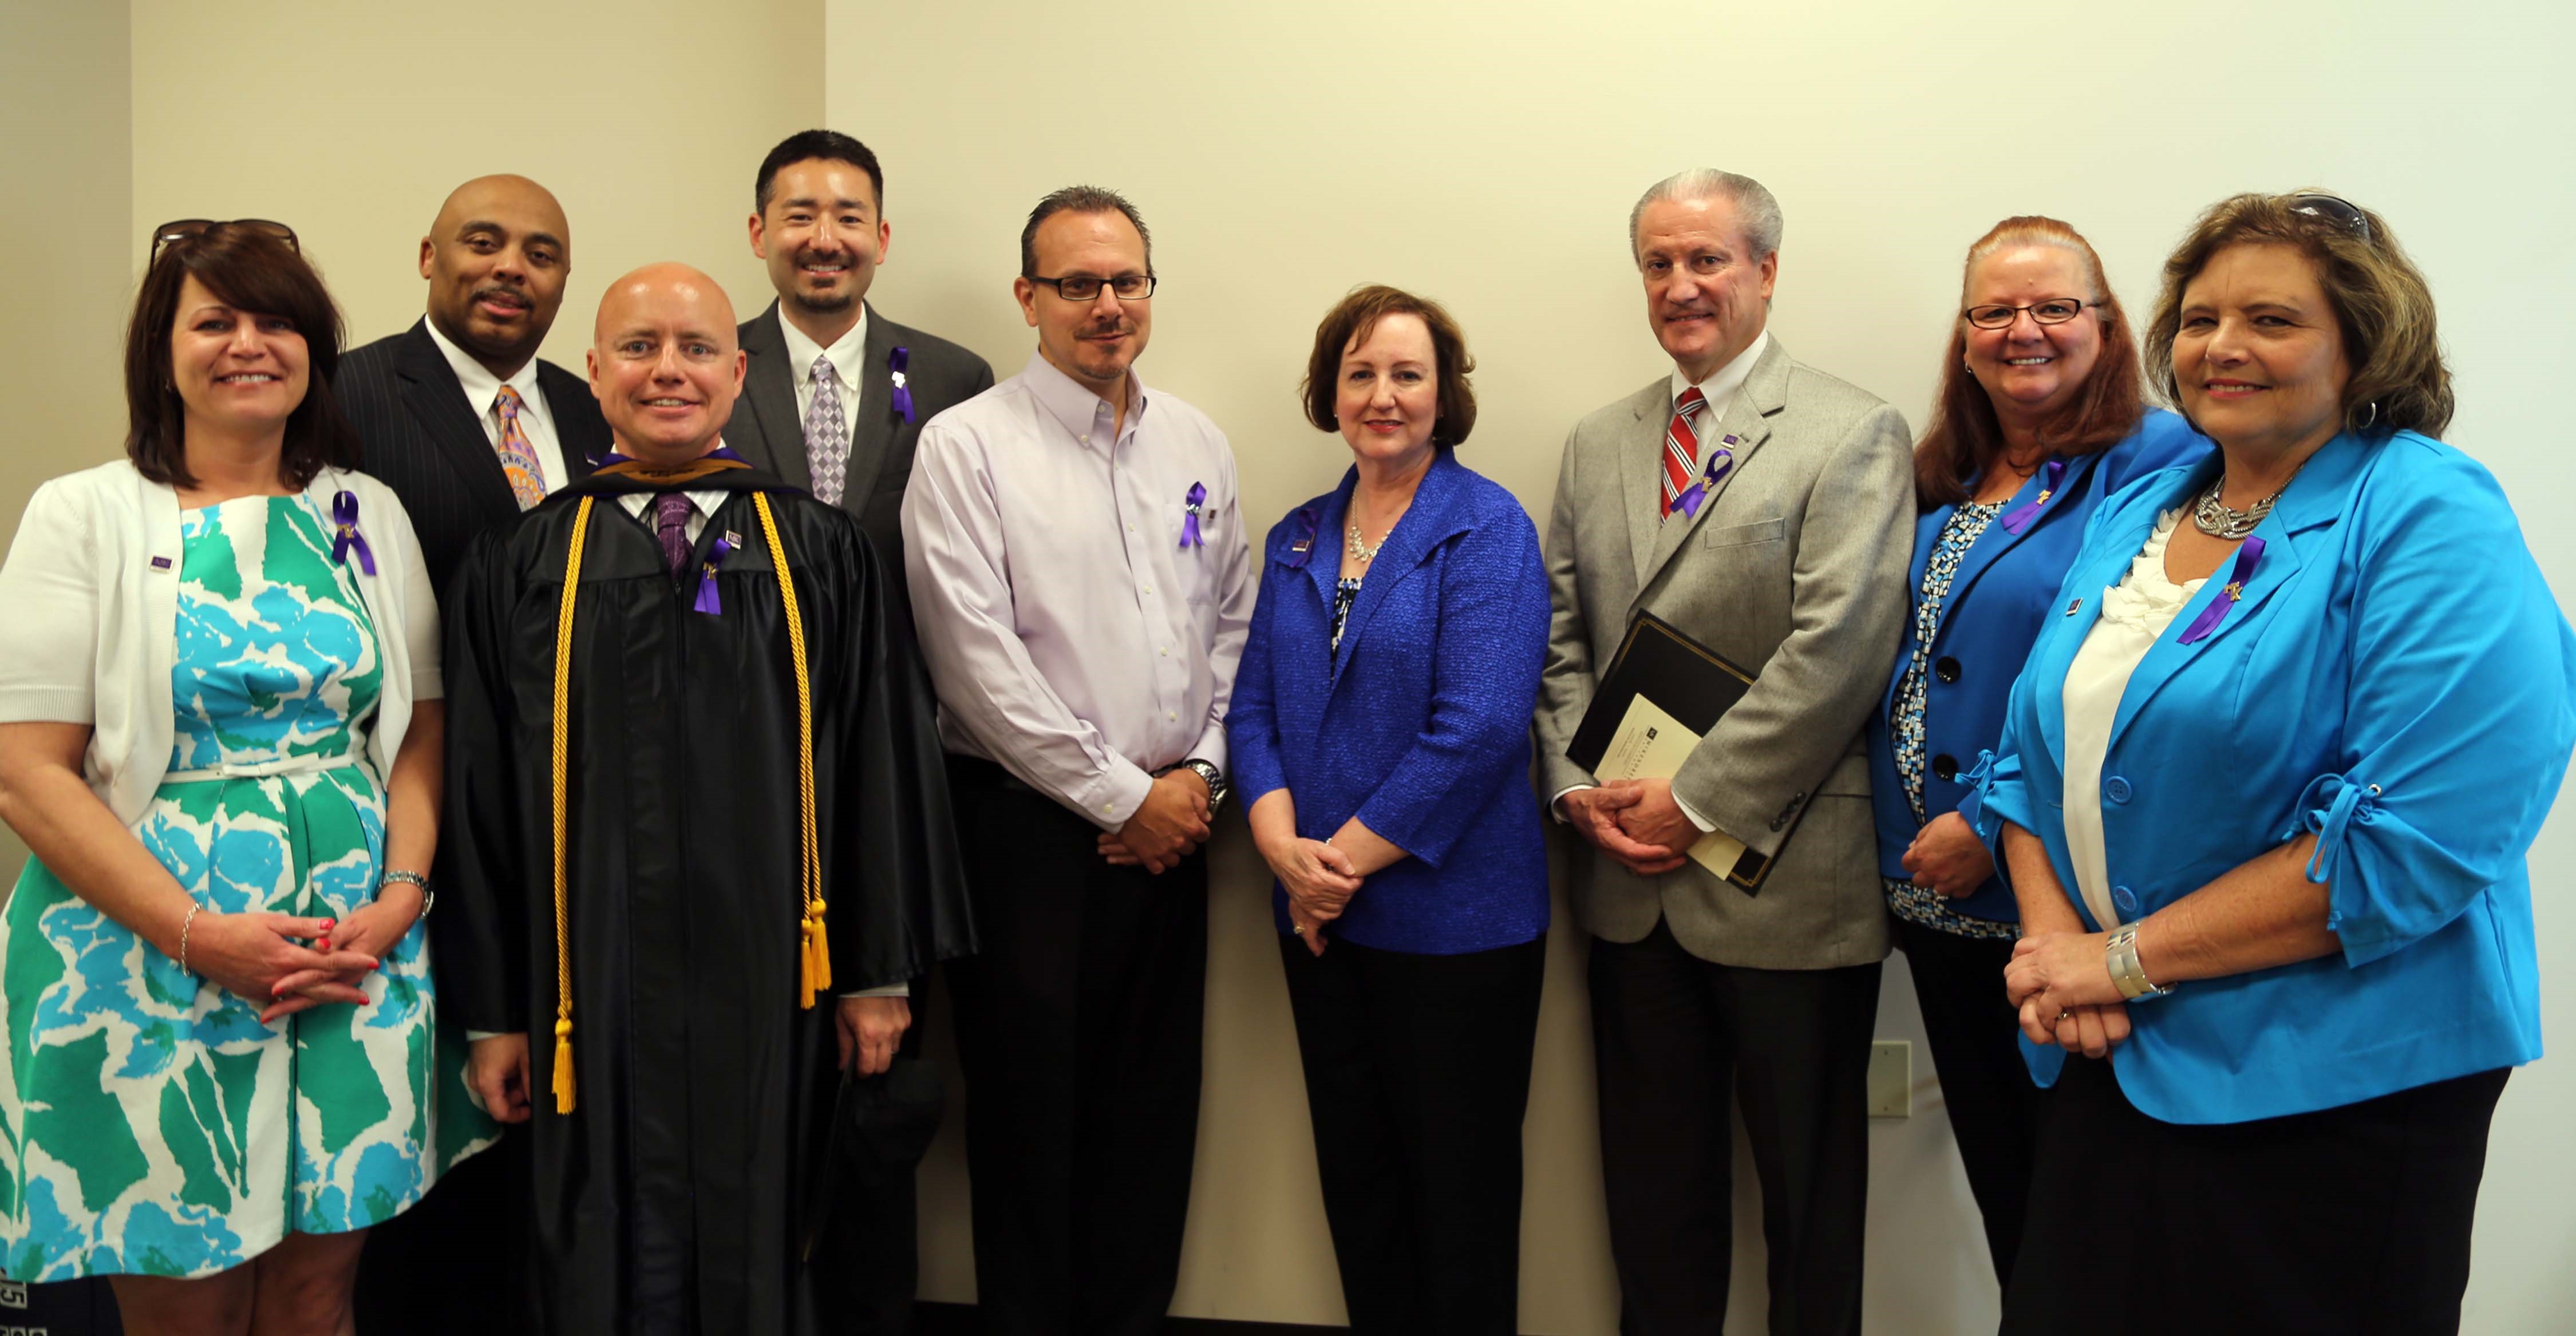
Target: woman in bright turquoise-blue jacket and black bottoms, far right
2281,756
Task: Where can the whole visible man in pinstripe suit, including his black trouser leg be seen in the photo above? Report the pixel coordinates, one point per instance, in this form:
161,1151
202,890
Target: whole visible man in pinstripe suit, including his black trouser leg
470,429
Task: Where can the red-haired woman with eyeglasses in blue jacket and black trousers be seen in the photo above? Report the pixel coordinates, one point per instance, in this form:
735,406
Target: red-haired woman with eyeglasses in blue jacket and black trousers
2039,418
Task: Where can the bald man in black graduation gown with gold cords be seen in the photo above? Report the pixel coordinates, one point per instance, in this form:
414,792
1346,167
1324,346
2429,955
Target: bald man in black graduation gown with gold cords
717,892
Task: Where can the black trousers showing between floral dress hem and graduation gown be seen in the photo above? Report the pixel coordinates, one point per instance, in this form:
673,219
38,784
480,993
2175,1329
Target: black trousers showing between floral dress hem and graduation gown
460,1257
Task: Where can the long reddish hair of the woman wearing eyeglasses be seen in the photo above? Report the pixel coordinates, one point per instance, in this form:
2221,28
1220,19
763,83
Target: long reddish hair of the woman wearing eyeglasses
1967,436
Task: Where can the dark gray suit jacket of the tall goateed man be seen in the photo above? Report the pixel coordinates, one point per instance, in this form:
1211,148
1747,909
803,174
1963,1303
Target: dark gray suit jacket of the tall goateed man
769,431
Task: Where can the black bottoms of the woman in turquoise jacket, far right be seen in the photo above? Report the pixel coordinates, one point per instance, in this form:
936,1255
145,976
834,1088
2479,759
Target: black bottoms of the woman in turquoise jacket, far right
2351,1221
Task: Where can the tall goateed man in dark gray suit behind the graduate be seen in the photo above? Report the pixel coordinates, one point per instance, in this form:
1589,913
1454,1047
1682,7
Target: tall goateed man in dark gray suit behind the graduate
833,403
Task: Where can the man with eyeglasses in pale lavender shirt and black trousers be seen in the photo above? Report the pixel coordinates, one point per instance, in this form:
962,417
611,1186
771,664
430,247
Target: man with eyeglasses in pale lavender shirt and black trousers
1083,588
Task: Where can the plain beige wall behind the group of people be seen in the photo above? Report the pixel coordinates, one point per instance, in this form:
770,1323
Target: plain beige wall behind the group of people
1482,153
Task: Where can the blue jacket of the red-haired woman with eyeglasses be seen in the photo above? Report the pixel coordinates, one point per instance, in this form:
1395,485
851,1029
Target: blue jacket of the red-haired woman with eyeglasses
1985,640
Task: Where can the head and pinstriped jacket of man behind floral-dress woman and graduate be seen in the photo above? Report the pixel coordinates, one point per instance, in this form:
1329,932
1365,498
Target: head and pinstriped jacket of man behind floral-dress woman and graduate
457,413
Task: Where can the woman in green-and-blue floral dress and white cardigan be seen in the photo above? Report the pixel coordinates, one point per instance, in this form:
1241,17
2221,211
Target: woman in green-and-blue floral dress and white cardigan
220,738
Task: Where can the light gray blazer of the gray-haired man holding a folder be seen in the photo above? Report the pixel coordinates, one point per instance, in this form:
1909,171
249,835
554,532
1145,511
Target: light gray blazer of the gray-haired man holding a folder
1797,570
